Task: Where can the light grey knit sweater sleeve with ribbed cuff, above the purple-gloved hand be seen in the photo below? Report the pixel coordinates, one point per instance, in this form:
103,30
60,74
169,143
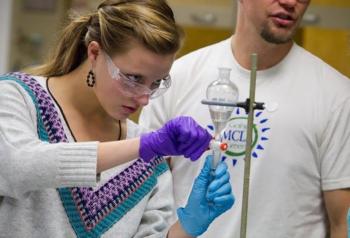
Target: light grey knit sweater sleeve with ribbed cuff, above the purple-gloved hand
29,164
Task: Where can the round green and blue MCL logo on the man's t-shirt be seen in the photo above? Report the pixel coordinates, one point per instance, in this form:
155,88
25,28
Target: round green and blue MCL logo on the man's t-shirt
235,135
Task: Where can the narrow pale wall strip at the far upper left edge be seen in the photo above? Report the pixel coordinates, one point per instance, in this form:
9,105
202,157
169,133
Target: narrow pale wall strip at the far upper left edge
5,32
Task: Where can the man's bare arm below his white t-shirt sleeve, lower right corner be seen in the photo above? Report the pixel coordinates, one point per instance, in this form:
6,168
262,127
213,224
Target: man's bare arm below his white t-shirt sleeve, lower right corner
337,204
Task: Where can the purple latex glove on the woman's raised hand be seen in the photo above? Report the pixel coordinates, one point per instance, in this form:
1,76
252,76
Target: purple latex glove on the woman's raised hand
179,136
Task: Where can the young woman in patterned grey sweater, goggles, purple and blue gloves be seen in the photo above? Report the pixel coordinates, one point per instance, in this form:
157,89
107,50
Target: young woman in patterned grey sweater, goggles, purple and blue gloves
71,164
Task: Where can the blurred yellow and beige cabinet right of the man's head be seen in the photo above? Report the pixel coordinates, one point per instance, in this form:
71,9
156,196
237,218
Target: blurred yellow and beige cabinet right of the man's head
327,33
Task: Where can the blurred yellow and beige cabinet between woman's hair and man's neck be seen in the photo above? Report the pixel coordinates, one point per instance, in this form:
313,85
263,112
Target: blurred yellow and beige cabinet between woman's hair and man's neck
204,21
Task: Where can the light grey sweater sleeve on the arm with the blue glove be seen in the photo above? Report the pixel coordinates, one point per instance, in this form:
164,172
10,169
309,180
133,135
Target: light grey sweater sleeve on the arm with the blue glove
155,221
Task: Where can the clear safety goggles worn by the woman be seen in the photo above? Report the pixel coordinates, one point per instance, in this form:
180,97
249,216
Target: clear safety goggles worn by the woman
131,86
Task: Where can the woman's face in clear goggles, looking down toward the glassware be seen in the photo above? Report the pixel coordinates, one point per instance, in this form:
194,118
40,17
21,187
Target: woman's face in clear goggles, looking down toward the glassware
124,82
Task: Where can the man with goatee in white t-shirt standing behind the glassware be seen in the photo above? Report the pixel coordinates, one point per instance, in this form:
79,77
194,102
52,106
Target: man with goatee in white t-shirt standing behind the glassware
300,175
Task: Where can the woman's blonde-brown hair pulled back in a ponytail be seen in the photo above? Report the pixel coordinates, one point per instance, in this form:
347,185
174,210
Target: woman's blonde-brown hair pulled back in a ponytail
114,26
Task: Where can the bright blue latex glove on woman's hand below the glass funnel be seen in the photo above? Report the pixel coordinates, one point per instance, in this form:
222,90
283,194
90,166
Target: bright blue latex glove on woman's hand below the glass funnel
210,197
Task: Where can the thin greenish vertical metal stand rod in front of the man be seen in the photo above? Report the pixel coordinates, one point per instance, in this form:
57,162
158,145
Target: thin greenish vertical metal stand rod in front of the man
245,198
